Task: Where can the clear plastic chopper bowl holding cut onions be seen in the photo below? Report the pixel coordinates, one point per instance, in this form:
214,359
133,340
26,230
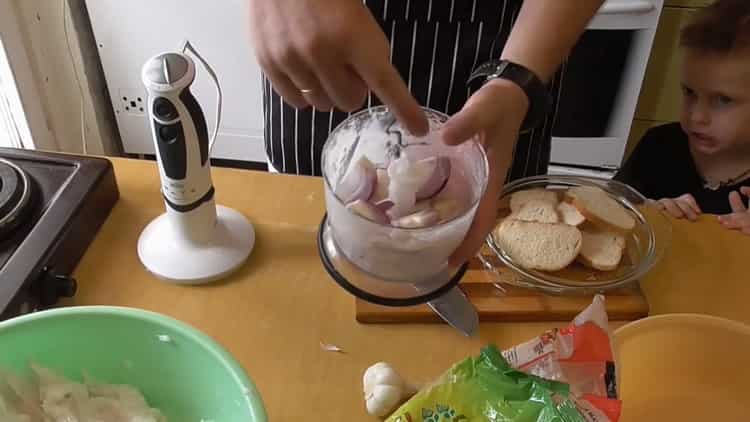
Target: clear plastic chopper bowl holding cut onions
384,252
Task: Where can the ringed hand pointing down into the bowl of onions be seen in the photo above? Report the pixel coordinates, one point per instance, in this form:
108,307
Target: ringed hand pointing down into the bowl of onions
328,54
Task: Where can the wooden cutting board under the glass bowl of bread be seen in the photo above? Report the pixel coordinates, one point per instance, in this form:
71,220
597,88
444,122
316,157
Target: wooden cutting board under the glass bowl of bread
516,304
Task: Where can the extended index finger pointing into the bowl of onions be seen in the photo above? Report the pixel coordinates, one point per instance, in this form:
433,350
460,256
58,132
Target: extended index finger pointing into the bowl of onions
385,82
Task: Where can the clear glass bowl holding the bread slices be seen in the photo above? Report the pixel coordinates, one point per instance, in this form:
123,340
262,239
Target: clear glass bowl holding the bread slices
645,245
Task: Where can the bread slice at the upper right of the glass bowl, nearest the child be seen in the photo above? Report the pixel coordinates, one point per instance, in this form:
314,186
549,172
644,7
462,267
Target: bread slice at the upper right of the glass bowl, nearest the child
600,208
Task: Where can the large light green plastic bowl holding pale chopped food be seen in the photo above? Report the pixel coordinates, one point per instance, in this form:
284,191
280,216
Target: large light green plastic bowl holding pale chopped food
179,370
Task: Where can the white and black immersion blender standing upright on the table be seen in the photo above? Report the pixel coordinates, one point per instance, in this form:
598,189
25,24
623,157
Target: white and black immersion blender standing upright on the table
194,241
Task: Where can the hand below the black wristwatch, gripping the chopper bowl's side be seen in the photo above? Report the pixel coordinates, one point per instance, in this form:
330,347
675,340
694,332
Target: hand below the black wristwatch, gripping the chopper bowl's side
494,114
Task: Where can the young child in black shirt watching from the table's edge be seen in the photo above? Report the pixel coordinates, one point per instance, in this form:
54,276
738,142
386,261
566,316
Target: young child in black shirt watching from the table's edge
702,164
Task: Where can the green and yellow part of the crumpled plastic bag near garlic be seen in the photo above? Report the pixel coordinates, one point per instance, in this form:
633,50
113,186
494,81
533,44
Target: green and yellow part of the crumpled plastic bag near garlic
487,388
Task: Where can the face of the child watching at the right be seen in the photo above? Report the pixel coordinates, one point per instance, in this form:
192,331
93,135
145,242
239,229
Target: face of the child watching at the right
716,101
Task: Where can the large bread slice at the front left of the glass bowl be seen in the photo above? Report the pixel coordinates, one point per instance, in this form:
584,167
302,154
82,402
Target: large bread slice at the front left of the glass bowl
539,246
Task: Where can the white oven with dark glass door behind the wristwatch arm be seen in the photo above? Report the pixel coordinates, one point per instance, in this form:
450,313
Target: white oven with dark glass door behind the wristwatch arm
600,88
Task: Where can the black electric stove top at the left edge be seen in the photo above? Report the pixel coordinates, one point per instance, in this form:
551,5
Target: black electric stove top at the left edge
51,206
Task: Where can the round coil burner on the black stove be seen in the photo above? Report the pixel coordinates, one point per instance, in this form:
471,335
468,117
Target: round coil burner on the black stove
15,195
